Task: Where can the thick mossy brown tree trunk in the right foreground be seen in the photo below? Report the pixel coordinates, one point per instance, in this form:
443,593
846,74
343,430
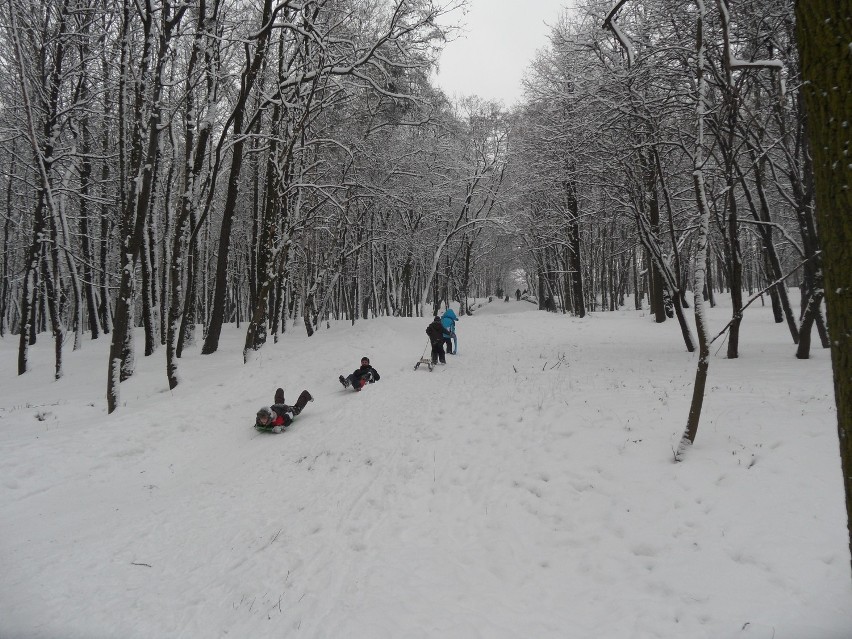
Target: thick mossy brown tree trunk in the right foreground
824,32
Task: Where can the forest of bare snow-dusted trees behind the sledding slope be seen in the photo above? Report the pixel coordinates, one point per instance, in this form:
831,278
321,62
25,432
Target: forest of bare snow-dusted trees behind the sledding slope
174,166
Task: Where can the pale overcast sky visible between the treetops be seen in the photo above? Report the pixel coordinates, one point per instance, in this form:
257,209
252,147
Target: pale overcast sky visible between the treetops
500,41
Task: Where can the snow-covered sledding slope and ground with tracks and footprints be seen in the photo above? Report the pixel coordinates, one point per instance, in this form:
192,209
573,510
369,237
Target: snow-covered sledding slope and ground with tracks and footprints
525,490
